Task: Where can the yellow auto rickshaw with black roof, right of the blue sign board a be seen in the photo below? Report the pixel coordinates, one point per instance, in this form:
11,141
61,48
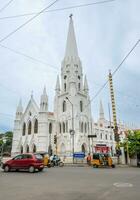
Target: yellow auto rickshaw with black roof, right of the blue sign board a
102,160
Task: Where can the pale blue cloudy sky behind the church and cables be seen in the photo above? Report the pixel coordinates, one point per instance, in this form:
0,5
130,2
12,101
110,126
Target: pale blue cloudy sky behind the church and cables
105,33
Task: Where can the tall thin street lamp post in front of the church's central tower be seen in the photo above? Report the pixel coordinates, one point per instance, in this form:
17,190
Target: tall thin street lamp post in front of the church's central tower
72,123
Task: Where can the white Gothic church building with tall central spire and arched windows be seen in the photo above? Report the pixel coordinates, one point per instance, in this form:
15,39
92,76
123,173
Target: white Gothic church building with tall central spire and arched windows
67,128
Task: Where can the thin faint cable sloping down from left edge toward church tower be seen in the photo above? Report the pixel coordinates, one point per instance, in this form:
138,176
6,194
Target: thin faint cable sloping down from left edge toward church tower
28,56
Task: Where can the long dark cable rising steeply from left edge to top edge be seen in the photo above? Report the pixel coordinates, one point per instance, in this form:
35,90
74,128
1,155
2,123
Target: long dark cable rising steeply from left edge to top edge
28,21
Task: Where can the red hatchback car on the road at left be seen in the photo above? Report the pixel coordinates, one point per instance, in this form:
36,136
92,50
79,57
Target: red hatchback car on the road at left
29,161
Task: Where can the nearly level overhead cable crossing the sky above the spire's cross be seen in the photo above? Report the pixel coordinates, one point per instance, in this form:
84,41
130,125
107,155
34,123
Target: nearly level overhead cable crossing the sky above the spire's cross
58,9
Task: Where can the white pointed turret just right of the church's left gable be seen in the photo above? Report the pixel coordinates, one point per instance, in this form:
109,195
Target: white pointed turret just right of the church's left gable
44,101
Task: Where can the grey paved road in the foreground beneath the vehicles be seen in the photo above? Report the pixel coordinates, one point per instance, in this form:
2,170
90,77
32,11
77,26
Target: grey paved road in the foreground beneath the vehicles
72,183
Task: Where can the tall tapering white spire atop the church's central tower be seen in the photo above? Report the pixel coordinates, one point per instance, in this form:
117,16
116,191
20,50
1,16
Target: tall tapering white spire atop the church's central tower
71,46
